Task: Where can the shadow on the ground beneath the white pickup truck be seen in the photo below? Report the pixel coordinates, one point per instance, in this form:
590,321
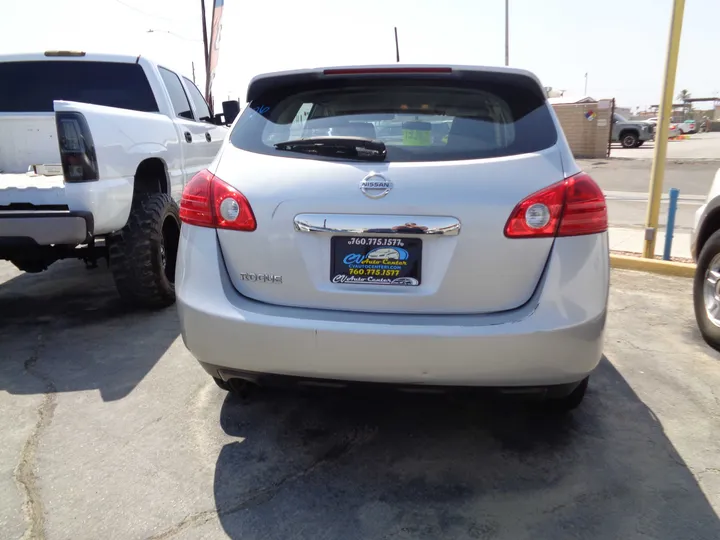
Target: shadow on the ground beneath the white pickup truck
65,330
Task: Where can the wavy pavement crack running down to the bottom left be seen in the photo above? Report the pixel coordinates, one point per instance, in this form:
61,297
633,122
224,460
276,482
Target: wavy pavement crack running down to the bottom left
25,476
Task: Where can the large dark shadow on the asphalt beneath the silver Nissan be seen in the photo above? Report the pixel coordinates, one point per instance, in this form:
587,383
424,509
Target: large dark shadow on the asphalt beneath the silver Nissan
359,466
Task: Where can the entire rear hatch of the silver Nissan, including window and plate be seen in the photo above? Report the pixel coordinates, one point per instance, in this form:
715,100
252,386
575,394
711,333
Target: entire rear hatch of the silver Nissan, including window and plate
421,230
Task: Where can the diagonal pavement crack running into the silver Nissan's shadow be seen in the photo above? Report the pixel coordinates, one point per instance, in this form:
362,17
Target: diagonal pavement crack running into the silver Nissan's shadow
263,495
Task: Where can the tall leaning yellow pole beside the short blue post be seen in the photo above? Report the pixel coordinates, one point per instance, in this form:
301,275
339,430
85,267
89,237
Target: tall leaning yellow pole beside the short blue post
658,167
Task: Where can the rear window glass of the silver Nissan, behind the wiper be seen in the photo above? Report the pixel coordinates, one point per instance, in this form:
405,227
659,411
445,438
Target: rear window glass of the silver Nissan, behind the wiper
417,121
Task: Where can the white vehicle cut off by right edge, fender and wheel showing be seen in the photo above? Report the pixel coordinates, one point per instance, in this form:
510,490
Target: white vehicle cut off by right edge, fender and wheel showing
705,249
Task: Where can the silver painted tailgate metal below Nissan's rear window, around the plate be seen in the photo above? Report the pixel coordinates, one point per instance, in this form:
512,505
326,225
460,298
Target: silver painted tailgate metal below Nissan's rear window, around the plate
459,272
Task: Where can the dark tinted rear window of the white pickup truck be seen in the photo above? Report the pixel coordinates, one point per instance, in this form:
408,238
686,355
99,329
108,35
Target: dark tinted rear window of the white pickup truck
32,86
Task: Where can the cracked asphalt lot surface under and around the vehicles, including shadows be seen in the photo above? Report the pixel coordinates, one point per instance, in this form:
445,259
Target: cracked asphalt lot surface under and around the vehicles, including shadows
111,430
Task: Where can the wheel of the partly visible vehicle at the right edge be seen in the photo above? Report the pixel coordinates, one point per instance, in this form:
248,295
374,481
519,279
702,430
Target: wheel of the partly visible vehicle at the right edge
706,291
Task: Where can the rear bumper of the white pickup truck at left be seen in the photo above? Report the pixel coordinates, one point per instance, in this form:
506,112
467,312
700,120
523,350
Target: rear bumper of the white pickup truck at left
44,228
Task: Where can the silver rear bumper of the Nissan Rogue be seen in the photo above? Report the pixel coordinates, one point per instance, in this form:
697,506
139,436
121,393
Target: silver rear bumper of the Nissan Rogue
556,338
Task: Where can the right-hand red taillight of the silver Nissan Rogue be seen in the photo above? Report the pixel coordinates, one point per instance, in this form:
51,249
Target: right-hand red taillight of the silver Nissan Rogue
572,207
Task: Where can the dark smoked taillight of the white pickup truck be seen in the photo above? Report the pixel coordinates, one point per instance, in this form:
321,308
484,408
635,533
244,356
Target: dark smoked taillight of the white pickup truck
77,150
